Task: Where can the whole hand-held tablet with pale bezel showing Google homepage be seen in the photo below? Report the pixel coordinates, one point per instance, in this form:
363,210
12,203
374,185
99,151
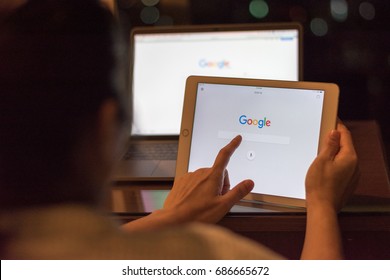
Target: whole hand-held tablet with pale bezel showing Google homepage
283,125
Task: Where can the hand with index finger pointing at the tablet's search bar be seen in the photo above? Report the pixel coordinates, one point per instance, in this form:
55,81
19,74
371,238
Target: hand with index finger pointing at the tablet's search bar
205,195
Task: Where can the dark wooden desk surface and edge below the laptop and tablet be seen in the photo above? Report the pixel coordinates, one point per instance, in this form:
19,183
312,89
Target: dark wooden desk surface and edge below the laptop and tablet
365,221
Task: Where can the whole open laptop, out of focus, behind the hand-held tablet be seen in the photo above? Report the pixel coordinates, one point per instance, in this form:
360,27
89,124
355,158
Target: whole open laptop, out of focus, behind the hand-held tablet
161,60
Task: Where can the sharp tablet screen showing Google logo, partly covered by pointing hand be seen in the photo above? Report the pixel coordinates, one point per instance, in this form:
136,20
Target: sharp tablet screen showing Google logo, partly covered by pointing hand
280,128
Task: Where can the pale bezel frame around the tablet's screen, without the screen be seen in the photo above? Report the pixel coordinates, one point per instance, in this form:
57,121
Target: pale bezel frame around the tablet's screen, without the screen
328,121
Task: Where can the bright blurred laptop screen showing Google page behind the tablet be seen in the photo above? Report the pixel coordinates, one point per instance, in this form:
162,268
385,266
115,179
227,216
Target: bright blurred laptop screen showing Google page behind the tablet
162,61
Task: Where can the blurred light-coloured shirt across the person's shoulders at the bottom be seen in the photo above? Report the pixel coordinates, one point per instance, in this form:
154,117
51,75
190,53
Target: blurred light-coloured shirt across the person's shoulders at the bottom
77,232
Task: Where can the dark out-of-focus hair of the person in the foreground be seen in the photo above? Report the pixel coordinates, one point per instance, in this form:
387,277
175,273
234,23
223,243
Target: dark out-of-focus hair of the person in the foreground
59,61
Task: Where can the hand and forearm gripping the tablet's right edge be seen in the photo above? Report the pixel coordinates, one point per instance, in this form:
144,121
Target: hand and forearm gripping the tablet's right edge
329,183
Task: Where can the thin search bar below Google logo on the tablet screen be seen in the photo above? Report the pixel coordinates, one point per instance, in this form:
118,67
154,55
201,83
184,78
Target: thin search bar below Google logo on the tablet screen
253,137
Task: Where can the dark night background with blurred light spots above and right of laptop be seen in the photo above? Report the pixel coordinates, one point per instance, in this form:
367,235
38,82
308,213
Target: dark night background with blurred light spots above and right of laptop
345,42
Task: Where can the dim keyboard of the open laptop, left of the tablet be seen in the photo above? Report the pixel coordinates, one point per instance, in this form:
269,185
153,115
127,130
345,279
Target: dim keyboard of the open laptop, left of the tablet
150,151
